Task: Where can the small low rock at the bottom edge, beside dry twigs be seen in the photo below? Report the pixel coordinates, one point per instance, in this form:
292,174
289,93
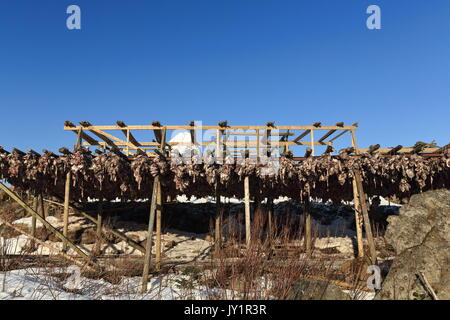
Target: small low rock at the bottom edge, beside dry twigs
308,289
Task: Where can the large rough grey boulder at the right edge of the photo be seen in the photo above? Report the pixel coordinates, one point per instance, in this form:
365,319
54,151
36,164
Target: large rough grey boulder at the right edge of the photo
420,235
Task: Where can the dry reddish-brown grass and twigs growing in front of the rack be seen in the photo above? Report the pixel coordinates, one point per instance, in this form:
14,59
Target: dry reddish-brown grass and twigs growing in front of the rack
267,269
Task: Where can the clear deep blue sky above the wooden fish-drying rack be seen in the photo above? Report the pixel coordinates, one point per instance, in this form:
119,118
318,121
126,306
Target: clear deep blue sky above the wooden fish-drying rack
246,61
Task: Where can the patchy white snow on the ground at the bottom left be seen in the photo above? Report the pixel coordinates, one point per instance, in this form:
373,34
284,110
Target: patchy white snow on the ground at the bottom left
43,284
